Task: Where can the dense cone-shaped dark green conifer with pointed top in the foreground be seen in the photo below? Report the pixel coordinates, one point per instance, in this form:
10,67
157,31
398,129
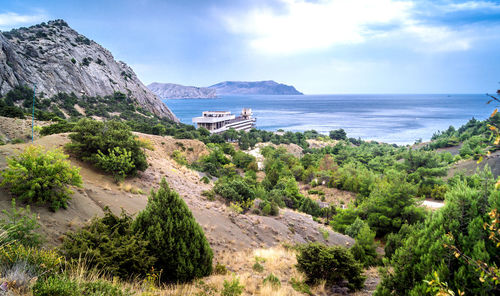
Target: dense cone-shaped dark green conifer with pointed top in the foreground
175,238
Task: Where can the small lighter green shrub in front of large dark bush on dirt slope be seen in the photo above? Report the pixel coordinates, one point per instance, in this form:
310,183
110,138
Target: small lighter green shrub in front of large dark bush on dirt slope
118,161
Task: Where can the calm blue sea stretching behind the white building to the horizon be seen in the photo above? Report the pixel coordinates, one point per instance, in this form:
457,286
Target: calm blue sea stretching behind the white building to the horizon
400,119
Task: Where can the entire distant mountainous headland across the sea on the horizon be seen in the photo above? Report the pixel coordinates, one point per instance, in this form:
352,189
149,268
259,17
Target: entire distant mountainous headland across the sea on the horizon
177,91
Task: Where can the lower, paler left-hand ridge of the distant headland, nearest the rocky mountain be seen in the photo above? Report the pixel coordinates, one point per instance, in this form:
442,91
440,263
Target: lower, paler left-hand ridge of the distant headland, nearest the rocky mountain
177,91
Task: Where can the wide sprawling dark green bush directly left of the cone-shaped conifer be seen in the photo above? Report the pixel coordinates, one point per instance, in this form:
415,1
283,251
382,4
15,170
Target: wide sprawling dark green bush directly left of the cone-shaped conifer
109,244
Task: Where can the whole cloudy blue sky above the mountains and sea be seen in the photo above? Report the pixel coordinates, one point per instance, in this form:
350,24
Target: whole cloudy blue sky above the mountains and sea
318,46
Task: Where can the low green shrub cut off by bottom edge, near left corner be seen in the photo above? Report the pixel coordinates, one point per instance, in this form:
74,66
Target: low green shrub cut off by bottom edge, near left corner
56,286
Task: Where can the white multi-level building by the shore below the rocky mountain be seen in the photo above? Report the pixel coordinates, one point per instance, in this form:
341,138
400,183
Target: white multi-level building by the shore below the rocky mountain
220,121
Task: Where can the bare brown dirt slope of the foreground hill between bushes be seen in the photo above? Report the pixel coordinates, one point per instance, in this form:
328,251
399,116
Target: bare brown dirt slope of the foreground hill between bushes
225,230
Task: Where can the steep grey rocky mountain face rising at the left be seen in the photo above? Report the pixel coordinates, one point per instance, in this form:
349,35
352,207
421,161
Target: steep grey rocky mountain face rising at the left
58,59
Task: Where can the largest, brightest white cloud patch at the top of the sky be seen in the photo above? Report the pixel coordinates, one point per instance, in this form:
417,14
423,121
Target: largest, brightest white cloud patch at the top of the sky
315,25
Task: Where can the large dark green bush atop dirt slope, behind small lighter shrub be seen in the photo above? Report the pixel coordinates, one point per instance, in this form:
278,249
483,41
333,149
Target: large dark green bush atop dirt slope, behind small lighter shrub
90,136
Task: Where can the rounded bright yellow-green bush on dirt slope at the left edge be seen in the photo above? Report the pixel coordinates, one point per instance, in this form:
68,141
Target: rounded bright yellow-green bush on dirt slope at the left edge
38,176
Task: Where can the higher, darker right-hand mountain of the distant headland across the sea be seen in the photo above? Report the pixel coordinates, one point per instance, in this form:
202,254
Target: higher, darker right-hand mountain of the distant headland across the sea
254,88
